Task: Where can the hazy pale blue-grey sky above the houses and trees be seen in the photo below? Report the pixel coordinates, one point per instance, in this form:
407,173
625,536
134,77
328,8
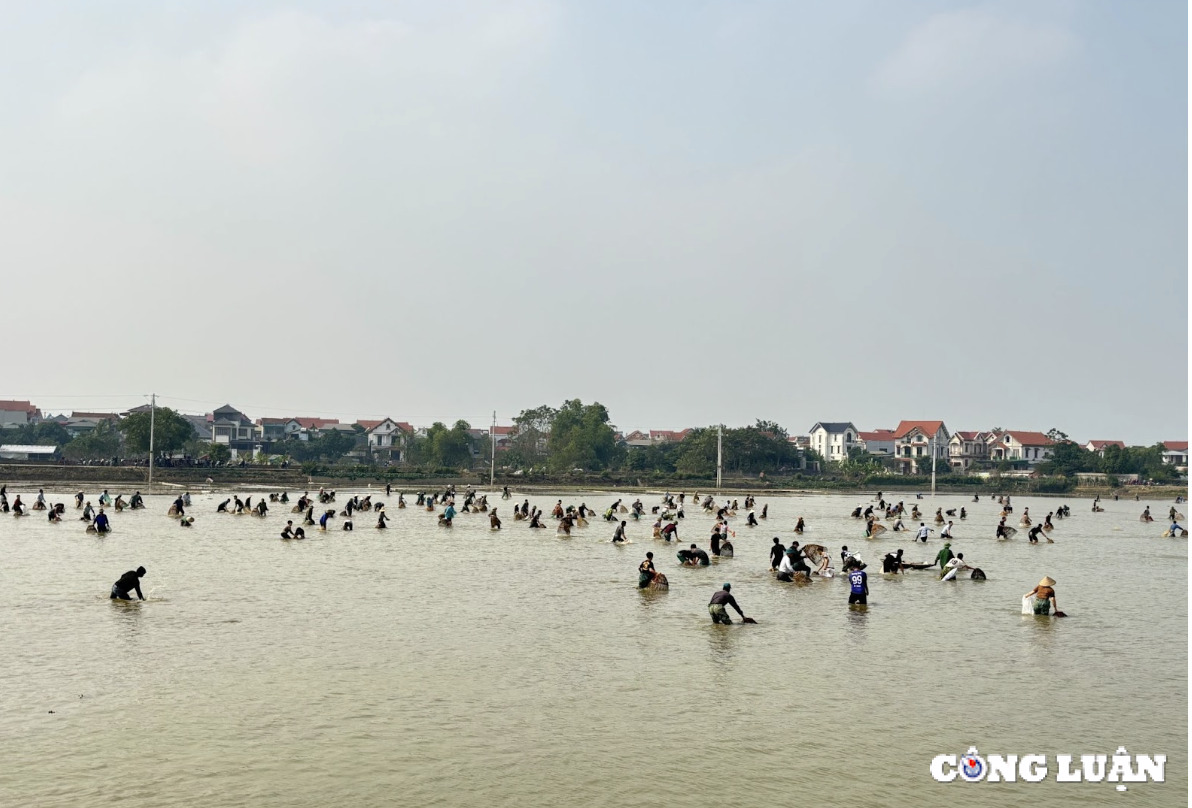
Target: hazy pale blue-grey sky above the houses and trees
694,213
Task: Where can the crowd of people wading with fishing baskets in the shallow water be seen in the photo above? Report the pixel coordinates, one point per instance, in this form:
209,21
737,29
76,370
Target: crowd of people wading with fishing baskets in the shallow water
794,564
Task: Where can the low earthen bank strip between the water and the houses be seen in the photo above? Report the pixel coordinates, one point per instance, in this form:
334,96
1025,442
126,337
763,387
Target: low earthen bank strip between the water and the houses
231,477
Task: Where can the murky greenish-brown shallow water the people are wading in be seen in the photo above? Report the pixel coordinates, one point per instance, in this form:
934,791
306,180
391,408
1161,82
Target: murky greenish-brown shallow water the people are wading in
431,667
